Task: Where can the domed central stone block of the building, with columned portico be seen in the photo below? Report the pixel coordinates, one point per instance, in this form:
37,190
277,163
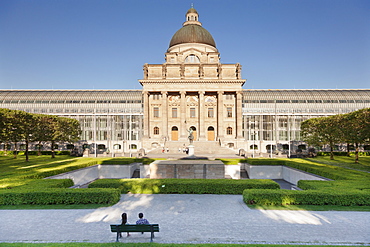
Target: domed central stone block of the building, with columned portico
192,90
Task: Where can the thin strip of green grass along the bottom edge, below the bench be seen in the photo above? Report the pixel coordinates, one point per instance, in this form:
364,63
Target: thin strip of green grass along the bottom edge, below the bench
150,244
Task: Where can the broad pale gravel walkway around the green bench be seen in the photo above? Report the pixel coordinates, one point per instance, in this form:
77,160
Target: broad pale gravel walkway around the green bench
187,219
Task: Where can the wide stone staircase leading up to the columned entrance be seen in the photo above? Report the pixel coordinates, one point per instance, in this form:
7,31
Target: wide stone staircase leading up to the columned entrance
200,147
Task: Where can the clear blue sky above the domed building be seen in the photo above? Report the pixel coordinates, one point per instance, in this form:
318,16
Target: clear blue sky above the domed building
103,44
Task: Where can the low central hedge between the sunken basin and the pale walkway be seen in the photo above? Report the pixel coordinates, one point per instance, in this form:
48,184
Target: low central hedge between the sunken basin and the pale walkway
184,186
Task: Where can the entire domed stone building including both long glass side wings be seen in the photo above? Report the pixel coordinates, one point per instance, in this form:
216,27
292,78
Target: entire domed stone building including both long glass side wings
191,90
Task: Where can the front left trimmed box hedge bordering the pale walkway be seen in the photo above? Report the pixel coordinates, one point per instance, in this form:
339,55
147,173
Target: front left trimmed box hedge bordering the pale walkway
59,196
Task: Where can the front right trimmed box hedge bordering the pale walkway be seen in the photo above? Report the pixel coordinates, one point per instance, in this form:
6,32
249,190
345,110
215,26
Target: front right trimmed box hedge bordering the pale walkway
309,197
